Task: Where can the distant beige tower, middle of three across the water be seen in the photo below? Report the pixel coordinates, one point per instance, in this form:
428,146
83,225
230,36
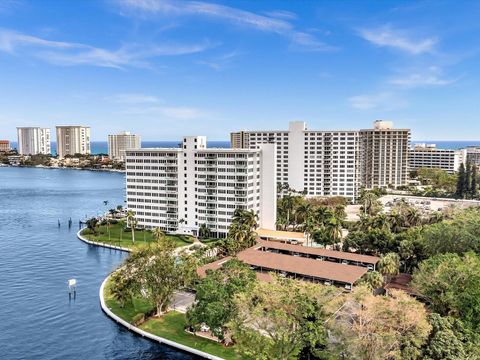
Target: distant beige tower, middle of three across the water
73,140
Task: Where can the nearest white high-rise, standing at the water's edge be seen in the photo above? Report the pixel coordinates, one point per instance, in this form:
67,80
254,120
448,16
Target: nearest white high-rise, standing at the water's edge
179,189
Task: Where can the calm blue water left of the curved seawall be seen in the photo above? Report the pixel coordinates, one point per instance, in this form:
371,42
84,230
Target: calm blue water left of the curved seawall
37,320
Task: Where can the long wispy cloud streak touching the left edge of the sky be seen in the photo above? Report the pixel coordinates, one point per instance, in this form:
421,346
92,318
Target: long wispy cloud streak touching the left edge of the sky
70,53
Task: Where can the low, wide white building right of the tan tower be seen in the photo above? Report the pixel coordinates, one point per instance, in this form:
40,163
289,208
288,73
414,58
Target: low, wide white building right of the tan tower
428,156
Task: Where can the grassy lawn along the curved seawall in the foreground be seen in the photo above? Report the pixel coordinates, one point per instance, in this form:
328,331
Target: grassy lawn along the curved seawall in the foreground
170,326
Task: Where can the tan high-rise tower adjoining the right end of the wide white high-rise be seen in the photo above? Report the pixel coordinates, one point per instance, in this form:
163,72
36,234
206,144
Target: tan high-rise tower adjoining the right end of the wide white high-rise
383,156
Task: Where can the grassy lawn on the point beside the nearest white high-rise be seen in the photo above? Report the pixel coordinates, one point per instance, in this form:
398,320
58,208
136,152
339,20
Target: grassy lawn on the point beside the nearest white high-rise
119,237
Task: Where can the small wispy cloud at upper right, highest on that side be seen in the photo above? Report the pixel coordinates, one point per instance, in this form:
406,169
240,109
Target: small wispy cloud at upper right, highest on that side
386,36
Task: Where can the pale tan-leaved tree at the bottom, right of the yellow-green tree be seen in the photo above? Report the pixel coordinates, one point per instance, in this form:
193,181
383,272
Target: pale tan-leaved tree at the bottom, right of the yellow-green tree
379,327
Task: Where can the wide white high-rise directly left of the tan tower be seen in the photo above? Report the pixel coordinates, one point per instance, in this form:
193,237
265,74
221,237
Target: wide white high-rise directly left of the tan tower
322,163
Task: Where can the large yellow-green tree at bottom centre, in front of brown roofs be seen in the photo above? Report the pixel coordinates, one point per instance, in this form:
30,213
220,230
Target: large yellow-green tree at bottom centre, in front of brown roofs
278,320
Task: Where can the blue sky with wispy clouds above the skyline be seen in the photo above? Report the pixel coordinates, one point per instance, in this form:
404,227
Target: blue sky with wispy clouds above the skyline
169,68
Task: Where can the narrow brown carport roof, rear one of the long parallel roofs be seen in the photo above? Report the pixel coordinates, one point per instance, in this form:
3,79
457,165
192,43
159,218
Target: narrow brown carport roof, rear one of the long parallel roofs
357,259
